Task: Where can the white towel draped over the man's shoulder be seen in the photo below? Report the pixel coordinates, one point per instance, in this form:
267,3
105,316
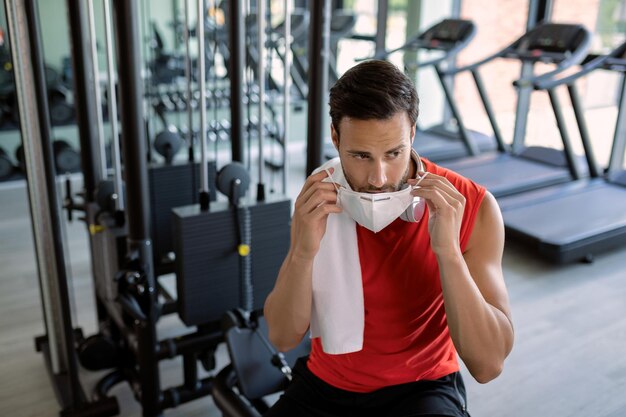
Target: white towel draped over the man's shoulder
338,312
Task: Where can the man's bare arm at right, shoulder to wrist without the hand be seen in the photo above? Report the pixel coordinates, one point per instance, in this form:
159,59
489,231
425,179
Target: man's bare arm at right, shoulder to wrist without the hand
475,296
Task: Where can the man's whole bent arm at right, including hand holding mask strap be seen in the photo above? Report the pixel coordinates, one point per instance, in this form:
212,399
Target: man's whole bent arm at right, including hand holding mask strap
475,297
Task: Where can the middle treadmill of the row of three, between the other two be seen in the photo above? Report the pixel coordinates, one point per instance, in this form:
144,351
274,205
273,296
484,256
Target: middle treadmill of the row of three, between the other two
518,168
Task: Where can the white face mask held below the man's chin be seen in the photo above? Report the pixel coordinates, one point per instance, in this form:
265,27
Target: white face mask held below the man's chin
377,211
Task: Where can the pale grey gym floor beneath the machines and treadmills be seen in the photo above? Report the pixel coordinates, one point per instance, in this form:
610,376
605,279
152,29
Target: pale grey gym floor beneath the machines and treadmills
568,358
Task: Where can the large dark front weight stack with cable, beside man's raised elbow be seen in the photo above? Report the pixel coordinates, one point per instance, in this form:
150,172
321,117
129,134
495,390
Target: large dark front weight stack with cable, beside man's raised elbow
207,263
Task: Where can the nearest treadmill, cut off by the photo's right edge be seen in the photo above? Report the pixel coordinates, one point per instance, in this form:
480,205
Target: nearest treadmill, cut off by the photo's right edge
576,221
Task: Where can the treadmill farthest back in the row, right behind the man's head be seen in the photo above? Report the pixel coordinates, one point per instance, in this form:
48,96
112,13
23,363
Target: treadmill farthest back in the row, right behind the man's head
445,39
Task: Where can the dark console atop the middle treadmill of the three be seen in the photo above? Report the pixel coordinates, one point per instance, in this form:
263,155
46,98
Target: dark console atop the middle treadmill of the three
548,42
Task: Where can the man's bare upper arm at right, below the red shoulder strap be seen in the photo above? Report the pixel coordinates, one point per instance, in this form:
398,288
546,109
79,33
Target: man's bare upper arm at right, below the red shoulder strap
484,254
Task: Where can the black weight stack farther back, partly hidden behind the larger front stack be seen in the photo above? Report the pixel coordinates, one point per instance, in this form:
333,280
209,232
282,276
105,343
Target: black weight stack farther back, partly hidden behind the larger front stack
172,186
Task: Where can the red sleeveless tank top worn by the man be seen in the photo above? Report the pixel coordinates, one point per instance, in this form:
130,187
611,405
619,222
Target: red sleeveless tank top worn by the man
406,336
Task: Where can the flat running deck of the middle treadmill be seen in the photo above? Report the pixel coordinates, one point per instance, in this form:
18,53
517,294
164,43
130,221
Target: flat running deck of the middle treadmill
504,174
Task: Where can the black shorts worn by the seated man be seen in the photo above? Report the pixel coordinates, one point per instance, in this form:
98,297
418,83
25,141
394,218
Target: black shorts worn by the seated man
309,396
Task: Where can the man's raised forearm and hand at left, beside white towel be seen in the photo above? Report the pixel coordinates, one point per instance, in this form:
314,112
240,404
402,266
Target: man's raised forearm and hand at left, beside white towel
288,307
